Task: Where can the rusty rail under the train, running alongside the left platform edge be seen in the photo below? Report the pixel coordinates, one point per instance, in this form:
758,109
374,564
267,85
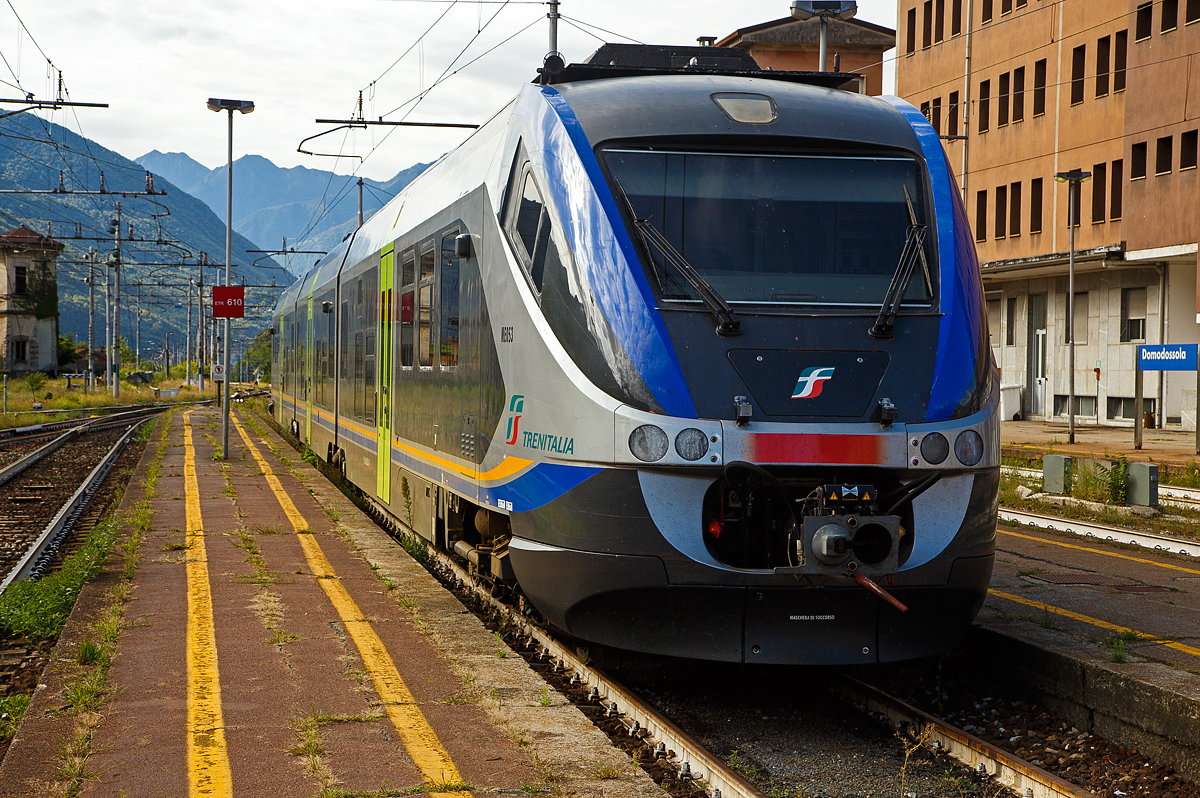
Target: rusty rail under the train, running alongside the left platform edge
692,759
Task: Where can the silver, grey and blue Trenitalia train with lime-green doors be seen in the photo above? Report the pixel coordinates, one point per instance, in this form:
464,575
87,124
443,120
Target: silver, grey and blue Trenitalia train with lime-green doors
682,356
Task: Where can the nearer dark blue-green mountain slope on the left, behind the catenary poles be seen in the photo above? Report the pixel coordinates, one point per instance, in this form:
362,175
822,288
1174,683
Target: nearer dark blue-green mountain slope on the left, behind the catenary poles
170,232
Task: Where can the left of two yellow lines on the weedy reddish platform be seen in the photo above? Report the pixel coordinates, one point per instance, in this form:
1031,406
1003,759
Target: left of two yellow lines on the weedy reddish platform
208,761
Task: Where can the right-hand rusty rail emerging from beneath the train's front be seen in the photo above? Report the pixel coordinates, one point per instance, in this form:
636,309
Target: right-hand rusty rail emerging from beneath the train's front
1018,776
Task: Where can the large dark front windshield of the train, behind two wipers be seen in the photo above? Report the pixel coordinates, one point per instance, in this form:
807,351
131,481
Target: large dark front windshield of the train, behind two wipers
782,230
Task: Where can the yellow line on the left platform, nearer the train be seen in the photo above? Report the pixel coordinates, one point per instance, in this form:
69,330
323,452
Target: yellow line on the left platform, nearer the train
421,741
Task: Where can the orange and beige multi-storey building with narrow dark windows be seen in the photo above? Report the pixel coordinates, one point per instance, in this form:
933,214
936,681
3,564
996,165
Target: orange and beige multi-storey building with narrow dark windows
1022,91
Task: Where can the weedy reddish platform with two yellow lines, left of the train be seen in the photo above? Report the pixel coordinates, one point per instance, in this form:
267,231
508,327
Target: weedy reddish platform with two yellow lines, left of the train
279,644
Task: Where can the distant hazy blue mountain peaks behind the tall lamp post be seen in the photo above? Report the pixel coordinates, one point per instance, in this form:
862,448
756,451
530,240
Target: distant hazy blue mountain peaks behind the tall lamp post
310,208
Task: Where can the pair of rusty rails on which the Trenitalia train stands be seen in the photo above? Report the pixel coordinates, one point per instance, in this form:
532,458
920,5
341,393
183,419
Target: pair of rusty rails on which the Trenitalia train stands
674,758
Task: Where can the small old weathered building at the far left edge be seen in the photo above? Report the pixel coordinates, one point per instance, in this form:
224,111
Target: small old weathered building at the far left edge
29,302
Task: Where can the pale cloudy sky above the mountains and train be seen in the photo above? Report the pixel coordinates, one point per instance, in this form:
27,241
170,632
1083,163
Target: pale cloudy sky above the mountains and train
157,64
